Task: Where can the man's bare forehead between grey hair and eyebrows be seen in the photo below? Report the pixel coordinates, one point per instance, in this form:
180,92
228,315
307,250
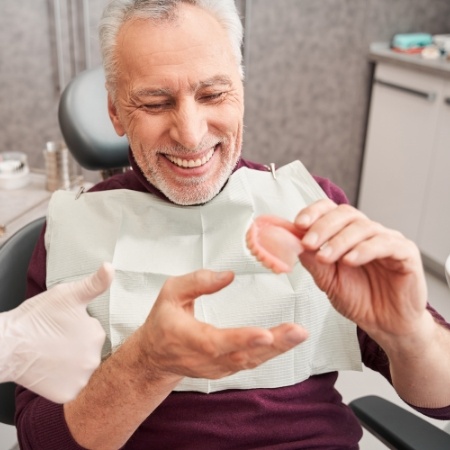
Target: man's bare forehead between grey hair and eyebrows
190,46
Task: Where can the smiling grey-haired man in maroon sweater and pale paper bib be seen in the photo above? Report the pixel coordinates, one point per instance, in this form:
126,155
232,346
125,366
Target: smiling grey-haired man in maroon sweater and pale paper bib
239,358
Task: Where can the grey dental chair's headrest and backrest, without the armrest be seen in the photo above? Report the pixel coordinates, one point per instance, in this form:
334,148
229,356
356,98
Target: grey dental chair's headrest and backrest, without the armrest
92,140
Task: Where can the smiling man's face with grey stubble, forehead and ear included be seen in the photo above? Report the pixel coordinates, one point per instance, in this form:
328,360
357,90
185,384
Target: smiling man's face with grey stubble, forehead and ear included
179,99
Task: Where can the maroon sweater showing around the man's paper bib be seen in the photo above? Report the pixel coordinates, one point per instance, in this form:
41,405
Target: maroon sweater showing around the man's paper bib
303,416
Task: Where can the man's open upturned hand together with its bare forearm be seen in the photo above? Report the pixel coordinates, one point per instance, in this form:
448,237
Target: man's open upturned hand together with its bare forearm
170,345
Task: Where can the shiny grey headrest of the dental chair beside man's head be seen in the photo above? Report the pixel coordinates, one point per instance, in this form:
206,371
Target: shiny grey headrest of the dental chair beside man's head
86,126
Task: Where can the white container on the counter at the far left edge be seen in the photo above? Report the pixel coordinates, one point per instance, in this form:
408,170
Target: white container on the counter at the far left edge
14,170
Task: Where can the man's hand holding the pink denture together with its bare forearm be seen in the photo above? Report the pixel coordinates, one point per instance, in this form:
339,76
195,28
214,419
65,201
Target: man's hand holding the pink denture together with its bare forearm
374,276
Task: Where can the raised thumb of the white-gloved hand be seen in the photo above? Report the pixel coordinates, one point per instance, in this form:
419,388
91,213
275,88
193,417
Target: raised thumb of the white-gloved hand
85,290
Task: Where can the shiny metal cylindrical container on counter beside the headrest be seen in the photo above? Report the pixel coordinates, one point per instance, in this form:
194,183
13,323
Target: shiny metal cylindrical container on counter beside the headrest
62,171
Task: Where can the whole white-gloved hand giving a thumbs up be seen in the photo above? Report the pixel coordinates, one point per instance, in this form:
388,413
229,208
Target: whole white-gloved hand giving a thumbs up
50,344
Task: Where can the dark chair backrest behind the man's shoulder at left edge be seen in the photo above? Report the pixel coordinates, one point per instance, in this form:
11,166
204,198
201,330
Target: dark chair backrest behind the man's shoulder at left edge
15,256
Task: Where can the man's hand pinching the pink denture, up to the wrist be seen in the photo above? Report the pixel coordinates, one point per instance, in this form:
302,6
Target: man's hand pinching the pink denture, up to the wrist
372,275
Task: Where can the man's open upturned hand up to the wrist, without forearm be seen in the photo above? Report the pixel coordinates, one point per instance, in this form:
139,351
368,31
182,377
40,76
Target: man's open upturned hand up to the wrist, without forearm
174,343
